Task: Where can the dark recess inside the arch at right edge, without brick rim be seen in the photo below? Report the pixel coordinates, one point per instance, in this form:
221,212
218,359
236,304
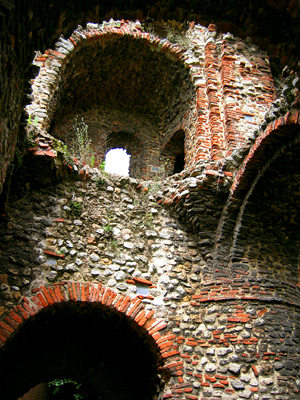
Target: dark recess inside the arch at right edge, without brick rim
268,235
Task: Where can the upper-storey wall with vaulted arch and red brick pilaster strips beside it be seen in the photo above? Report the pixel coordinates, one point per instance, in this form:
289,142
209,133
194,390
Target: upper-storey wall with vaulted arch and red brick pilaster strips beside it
214,88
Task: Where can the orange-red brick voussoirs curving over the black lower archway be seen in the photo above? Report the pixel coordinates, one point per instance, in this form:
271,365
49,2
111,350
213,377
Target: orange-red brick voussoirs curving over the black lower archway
45,297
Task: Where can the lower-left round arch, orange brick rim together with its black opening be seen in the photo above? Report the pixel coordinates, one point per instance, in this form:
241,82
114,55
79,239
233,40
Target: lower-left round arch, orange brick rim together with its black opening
88,333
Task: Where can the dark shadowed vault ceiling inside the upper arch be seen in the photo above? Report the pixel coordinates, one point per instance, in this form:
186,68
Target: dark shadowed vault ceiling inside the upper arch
126,73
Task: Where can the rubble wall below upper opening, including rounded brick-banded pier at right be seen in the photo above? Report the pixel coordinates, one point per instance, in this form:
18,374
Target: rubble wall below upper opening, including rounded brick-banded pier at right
227,339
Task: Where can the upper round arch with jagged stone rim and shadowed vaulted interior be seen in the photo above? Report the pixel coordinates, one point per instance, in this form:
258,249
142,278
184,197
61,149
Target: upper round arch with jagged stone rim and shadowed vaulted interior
119,79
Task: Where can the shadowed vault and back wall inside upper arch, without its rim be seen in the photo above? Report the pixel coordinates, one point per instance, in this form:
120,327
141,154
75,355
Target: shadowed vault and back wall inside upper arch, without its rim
123,83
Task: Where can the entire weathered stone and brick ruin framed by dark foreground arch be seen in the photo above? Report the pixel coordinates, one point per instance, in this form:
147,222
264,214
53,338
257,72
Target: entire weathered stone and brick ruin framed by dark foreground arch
182,286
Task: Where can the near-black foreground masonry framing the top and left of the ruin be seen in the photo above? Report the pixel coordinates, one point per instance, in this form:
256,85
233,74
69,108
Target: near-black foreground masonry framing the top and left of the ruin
22,34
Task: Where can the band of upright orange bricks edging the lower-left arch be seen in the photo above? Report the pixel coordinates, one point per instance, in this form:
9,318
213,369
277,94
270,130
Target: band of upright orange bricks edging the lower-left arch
56,295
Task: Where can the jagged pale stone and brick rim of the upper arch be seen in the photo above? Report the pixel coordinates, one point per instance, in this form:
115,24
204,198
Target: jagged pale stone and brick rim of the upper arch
53,63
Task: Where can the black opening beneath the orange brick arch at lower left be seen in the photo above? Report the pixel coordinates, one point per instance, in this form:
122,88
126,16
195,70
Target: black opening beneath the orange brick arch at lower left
88,343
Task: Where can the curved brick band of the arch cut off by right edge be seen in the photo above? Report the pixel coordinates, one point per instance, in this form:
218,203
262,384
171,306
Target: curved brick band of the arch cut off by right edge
279,138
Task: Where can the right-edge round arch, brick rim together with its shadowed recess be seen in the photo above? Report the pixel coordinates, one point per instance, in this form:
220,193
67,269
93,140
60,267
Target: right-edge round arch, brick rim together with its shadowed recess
259,220
